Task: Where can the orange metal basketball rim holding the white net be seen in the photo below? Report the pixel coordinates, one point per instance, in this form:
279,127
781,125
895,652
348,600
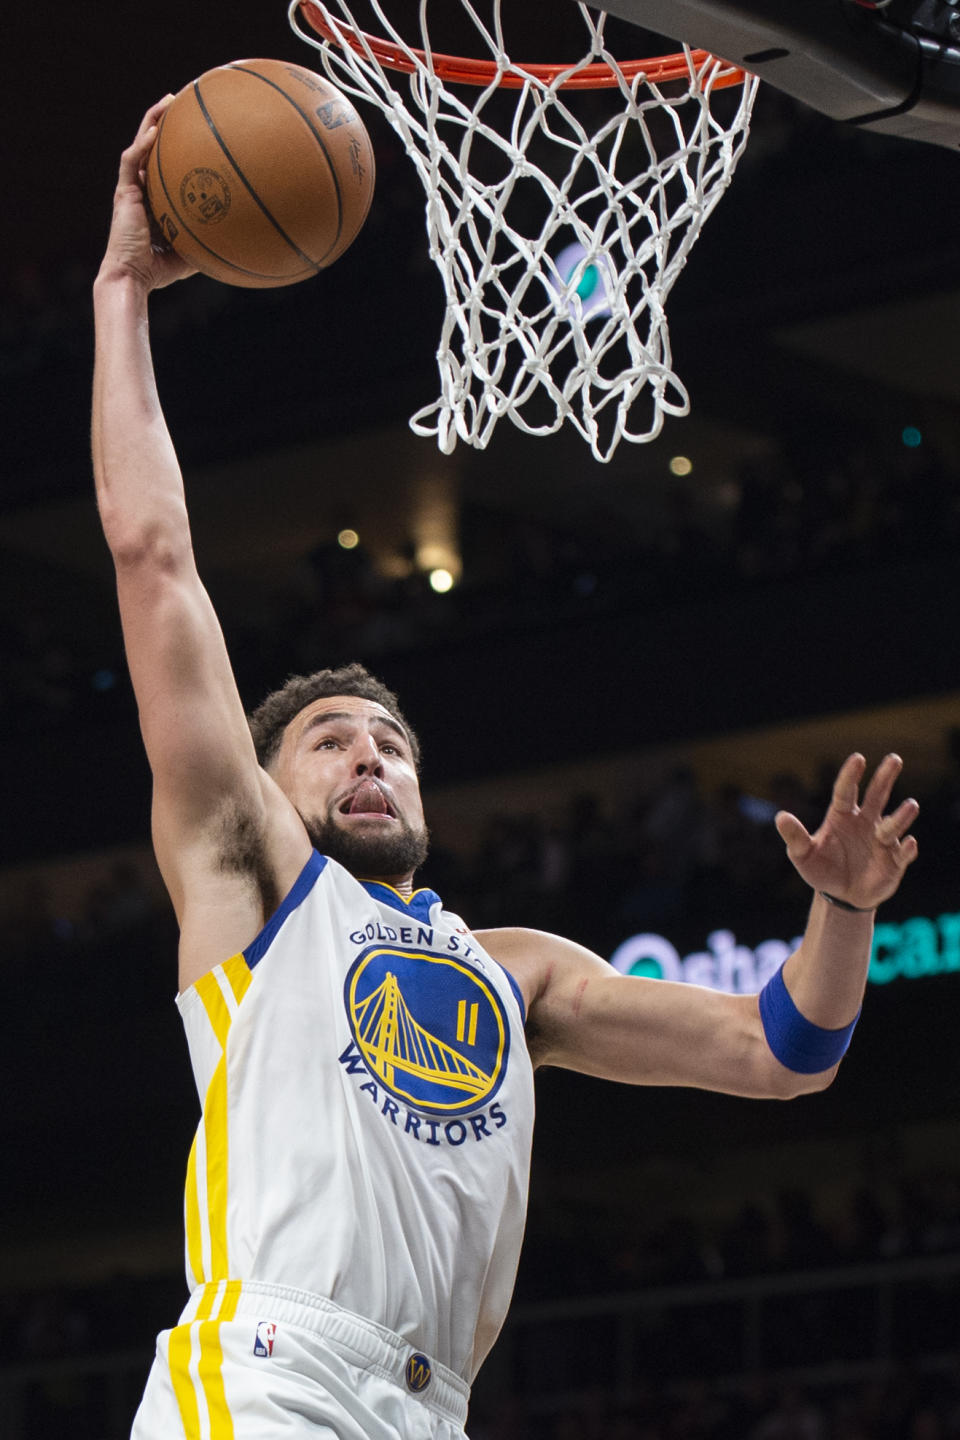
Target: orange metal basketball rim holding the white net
463,71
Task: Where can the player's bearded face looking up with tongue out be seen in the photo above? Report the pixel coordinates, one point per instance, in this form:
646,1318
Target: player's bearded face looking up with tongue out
348,767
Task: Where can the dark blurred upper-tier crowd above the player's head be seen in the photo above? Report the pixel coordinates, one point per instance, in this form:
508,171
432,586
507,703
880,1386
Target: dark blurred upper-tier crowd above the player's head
794,516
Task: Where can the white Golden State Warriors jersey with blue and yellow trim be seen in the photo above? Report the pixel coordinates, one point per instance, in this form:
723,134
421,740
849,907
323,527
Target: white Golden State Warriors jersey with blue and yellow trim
368,1115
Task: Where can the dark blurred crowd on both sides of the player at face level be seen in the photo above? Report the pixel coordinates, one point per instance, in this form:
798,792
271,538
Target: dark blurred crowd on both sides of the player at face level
670,855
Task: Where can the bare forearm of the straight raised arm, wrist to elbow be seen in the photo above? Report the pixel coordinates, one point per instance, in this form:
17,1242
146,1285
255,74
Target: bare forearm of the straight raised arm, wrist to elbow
139,483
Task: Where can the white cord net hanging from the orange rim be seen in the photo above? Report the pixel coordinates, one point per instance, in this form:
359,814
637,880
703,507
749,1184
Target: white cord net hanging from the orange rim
559,221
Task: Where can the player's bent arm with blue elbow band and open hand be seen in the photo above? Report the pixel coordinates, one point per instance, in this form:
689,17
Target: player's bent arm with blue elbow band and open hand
788,1040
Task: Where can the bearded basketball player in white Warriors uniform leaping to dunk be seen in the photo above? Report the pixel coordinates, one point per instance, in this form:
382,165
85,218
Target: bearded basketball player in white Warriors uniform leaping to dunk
358,1184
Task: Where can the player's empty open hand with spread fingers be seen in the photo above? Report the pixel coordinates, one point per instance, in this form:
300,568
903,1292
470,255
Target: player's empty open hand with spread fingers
859,855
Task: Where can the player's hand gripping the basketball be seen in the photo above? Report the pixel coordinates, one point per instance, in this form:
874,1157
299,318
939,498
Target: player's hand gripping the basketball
135,247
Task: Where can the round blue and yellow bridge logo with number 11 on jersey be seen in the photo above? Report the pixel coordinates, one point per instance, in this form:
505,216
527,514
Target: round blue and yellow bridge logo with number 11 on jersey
433,1030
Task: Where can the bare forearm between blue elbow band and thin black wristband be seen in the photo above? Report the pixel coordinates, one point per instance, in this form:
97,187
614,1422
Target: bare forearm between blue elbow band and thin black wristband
827,977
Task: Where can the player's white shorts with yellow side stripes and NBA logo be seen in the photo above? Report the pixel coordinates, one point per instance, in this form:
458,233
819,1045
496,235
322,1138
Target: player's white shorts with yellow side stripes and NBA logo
266,1363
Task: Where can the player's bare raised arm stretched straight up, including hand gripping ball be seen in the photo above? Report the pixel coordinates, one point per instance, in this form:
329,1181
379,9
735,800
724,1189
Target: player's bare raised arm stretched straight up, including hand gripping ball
207,780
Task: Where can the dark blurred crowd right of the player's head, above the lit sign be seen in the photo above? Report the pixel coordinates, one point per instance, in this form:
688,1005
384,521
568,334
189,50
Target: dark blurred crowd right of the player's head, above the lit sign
674,853
